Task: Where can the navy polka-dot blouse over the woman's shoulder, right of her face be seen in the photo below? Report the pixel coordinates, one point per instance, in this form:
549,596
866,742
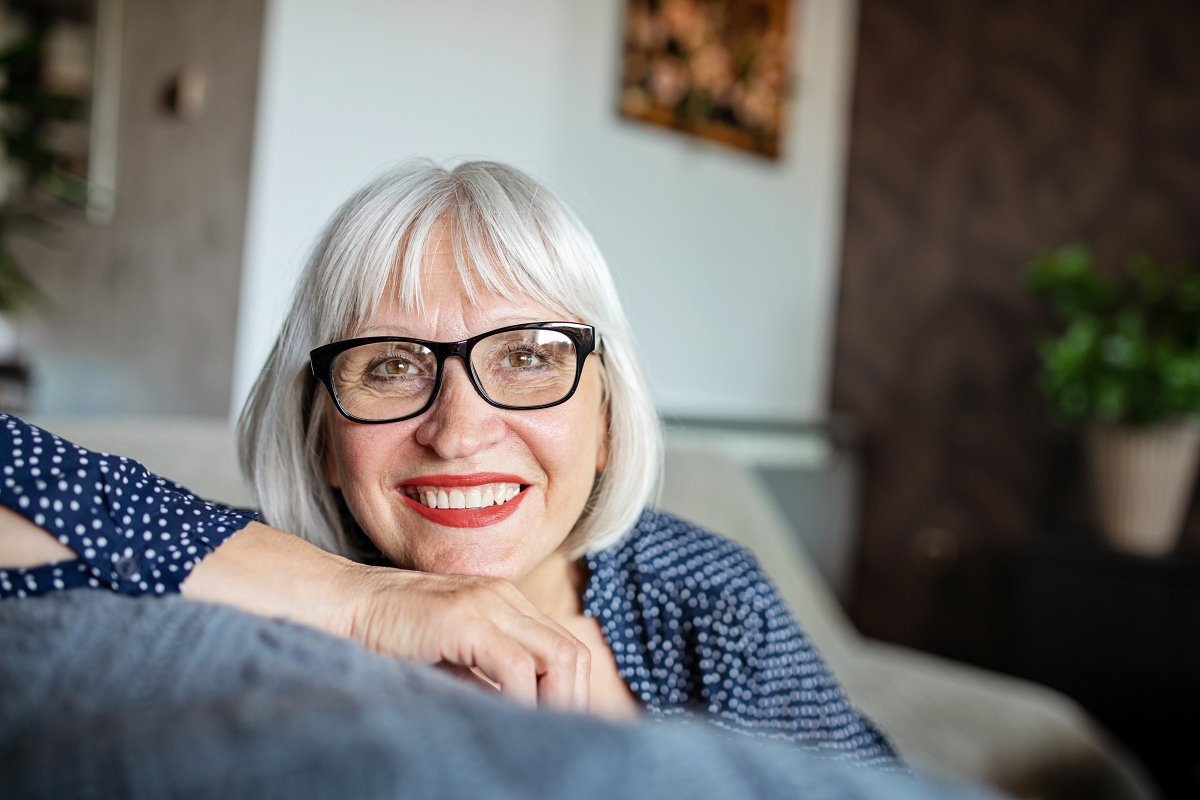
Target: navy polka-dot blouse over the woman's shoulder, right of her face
695,627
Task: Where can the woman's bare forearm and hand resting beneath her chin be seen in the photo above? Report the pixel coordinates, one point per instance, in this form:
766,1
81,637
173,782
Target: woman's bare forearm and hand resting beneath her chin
463,621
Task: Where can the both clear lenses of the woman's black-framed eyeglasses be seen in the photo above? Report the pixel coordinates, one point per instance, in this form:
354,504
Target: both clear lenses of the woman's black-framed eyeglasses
521,369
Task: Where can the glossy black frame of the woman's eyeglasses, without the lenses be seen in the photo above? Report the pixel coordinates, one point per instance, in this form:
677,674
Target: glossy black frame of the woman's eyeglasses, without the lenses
321,363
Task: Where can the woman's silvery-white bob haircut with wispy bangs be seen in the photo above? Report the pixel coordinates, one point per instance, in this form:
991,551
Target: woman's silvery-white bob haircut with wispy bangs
512,239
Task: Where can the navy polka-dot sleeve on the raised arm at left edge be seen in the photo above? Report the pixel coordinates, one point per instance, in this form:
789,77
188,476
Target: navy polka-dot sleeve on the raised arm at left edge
135,533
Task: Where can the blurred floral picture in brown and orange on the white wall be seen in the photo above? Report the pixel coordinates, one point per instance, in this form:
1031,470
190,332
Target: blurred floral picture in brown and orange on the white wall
715,69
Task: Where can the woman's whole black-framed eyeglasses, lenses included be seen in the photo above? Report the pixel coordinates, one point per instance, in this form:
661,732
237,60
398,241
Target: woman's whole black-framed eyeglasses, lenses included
392,378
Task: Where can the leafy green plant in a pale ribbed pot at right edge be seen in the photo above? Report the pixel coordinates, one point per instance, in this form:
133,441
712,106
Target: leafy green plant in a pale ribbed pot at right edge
1126,369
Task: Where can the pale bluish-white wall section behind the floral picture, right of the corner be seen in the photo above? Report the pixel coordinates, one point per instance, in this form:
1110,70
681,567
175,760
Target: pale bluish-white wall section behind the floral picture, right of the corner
710,242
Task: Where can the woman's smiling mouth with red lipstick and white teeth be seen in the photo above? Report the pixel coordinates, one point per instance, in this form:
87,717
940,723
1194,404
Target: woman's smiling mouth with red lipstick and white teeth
465,501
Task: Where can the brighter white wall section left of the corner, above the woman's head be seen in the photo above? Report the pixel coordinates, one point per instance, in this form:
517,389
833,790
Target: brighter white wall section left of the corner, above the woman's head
350,87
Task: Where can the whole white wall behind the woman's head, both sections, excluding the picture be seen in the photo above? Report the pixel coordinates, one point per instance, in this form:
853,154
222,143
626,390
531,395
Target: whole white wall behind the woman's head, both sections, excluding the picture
703,240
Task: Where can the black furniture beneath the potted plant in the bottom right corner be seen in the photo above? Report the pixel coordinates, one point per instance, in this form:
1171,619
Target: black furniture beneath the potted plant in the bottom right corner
1121,635
